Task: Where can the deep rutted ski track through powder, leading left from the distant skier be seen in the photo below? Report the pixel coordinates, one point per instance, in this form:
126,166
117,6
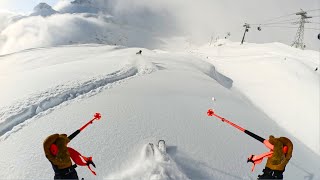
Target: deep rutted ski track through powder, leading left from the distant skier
18,115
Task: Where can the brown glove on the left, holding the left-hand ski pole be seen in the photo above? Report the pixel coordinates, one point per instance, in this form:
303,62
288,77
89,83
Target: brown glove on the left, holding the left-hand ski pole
62,158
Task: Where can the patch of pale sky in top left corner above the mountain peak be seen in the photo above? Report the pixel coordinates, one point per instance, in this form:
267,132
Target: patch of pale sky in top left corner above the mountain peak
23,5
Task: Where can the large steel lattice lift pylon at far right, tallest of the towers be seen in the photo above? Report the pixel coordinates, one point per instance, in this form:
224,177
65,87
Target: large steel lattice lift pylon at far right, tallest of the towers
298,41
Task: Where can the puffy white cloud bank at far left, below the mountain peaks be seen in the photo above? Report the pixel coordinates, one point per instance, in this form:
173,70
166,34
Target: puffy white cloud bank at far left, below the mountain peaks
57,29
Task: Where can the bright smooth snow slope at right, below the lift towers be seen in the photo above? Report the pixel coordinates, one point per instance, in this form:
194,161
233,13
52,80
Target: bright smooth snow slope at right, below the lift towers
285,85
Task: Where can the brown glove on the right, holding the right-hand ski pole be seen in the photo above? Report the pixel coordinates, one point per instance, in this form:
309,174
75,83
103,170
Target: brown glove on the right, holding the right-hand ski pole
279,160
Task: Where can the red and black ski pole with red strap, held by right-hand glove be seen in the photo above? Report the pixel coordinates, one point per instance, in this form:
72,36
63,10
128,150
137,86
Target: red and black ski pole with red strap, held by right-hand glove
254,159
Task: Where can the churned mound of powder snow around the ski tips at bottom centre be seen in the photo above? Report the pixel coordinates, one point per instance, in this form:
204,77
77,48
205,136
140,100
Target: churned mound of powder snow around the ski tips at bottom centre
151,167
